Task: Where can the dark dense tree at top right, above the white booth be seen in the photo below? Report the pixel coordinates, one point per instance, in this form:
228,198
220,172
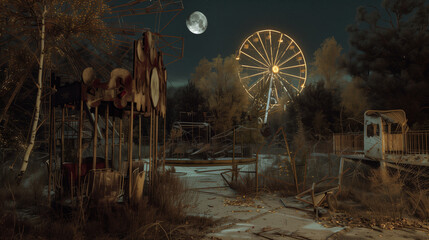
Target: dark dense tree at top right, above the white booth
390,54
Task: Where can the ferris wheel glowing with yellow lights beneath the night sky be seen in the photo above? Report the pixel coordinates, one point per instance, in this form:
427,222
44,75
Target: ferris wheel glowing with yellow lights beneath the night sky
273,68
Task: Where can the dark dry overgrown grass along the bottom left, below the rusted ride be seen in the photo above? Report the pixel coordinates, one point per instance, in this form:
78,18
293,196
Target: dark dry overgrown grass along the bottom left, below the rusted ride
24,215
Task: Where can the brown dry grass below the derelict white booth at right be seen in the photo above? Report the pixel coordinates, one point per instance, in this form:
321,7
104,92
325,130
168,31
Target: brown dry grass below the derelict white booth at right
378,196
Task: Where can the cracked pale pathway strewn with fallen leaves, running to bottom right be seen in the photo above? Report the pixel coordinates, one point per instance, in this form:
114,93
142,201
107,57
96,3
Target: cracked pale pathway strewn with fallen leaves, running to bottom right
265,216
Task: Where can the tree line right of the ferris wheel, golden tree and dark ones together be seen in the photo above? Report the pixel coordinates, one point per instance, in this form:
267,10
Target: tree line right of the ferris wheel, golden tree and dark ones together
387,67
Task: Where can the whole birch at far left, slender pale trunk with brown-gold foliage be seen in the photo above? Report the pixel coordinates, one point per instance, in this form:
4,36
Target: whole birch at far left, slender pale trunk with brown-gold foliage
52,27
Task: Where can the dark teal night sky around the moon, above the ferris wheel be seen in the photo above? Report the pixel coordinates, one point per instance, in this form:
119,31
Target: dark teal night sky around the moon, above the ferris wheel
308,22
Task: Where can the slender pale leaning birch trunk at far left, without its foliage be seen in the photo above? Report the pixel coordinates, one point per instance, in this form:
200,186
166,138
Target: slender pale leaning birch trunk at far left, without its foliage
38,101
